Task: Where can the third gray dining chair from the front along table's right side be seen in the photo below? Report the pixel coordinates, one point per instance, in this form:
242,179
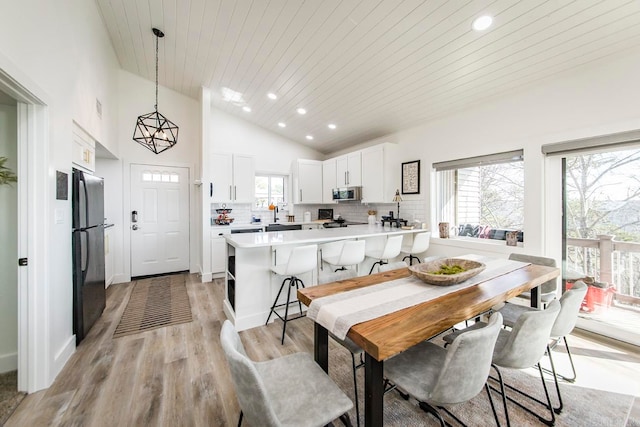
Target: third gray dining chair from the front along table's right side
565,322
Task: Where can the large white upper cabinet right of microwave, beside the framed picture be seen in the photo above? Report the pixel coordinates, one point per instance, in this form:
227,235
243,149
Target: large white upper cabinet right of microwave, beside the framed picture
380,173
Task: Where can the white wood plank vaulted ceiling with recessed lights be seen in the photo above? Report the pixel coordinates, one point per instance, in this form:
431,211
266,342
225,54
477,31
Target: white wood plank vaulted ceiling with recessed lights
371,67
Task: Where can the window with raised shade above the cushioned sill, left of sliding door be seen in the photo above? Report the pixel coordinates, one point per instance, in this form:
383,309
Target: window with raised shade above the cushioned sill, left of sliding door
482,197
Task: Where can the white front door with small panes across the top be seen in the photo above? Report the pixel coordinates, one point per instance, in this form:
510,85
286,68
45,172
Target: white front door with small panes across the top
159,219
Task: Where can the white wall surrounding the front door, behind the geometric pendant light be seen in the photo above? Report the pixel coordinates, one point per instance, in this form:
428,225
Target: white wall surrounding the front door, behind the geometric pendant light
136,96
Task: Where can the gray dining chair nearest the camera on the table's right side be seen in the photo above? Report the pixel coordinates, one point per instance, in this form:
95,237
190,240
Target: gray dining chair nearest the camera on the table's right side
439,377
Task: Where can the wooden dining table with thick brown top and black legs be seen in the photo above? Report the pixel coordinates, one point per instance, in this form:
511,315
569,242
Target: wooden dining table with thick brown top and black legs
388,335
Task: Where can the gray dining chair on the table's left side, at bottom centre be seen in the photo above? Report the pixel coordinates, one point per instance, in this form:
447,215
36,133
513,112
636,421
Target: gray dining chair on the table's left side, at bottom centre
288,391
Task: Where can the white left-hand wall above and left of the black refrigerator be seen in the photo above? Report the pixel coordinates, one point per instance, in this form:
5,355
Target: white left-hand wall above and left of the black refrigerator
62,48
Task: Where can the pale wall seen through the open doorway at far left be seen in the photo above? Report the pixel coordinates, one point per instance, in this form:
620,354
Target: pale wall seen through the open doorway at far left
8,244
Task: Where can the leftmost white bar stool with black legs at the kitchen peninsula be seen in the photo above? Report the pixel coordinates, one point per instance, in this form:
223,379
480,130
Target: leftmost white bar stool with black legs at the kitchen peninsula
302,259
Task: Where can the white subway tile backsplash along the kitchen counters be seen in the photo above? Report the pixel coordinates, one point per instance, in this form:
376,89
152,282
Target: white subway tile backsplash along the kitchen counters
242,213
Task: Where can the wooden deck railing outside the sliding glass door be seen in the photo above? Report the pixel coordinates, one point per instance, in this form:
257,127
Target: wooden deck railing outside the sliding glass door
609,261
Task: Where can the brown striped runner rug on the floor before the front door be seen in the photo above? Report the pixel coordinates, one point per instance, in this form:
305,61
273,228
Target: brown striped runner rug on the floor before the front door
155,303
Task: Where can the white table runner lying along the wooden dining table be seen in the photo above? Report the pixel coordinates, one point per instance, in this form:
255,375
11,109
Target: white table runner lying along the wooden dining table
339,312
